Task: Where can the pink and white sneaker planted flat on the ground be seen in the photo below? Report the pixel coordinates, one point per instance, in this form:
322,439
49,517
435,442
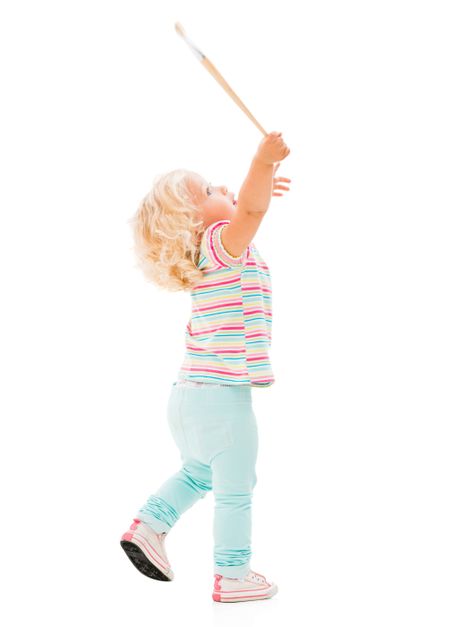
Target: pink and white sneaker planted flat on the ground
253,587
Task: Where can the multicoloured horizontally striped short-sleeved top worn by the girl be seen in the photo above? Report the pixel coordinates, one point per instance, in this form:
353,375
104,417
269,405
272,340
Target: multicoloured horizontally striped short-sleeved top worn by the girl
229,333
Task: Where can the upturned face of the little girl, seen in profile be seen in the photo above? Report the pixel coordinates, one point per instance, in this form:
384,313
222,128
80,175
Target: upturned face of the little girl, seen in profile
214,203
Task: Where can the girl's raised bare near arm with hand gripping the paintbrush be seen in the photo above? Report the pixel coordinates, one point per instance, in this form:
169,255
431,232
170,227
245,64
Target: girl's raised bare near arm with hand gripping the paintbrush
255,195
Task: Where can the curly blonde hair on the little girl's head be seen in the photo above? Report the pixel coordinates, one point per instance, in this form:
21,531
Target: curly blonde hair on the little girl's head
167,229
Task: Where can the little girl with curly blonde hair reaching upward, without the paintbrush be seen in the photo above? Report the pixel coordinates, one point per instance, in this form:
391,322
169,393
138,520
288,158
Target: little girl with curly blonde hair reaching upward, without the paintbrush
192,236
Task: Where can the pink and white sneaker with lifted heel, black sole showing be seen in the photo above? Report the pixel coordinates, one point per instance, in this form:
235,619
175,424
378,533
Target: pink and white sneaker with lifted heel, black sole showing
146,550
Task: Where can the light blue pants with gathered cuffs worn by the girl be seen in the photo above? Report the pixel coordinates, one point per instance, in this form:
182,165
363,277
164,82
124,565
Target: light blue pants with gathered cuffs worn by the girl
216,432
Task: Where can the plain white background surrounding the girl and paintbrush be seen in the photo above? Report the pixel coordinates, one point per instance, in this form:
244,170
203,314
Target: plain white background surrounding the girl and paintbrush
351,508
